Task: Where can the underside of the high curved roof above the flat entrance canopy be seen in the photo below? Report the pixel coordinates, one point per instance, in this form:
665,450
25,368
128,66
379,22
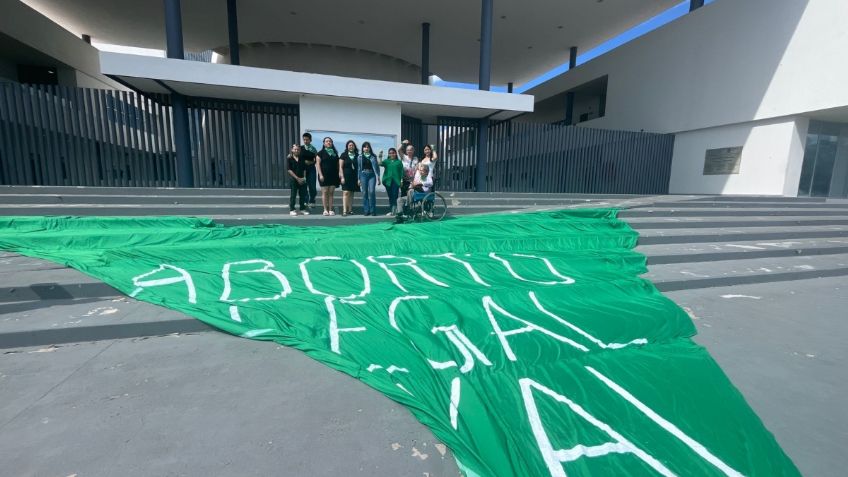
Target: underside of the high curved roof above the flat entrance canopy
530,37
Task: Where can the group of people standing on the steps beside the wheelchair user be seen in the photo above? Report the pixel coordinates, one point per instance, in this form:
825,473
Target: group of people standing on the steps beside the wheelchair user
356,170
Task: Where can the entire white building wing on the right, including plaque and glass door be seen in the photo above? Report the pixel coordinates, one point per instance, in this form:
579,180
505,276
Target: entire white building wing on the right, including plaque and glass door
755,77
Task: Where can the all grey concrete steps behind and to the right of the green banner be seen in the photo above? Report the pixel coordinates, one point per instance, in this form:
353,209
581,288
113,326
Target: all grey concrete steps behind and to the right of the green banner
675,231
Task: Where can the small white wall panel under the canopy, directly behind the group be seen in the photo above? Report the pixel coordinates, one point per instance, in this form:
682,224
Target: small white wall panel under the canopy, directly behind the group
349,115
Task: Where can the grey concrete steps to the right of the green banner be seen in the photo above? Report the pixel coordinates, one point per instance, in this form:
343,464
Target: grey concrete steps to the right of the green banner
707,242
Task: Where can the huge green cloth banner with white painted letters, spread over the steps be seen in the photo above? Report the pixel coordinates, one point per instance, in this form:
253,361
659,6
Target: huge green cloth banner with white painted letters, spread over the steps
528,342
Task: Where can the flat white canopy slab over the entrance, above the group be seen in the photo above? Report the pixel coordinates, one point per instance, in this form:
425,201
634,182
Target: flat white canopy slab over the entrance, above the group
192,78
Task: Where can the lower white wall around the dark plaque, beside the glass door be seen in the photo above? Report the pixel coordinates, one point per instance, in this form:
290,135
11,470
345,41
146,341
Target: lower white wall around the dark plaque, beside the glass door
771,160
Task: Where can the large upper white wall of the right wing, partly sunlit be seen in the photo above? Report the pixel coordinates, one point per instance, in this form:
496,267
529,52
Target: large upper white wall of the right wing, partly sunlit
729,62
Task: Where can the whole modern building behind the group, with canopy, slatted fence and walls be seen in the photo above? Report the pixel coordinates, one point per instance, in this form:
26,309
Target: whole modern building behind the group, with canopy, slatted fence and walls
747,89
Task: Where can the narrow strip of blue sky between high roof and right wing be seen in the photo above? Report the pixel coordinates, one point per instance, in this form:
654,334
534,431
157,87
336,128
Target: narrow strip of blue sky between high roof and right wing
667,16
